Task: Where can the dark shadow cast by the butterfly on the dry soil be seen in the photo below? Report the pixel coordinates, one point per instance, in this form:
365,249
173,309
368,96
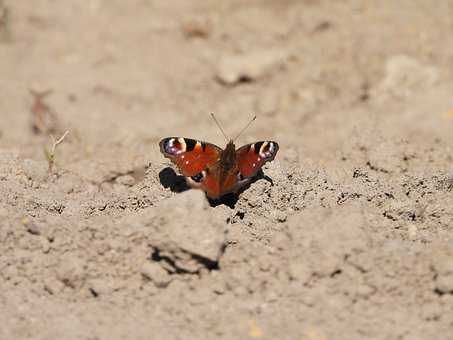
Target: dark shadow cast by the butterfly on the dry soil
177,183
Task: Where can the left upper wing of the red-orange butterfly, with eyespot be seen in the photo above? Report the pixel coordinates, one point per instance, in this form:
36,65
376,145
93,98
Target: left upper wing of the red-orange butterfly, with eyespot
189,155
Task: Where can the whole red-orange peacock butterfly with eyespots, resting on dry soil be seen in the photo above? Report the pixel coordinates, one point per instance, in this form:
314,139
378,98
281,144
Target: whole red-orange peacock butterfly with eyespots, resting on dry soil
215,170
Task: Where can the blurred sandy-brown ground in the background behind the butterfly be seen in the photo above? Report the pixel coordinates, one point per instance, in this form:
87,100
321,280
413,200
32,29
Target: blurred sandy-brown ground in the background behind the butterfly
122,75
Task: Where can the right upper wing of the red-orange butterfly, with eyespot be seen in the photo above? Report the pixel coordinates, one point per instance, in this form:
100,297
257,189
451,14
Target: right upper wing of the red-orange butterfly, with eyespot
252,157
